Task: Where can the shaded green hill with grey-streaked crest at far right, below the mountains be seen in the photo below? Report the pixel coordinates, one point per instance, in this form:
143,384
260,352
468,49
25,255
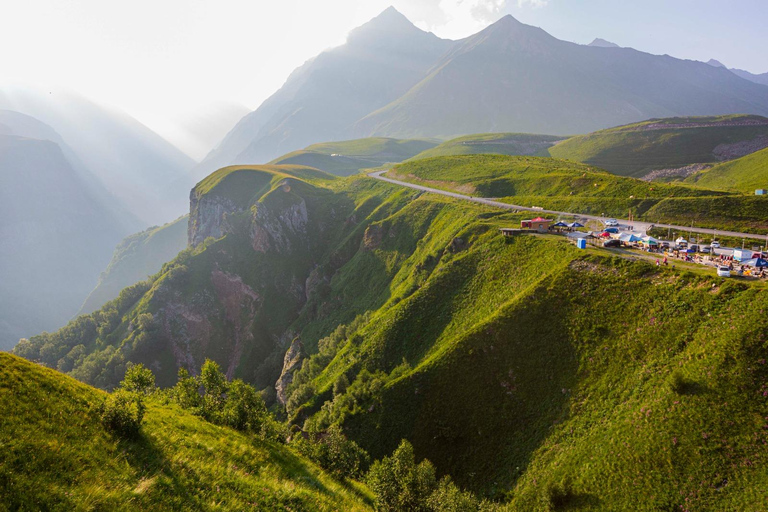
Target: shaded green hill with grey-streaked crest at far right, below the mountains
636,149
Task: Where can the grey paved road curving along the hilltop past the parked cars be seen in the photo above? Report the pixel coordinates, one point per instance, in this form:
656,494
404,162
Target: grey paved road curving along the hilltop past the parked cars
638,226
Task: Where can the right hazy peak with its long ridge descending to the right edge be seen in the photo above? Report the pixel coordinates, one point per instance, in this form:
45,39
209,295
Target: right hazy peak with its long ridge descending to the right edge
517,78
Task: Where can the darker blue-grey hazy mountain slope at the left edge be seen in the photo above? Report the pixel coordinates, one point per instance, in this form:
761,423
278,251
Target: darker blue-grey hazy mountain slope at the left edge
55,235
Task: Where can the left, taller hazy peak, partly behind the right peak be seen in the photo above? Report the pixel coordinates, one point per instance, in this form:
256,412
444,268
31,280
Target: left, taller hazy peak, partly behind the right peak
380,61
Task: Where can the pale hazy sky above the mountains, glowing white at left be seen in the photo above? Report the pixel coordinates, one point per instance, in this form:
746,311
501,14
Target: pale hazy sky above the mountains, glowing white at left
164,60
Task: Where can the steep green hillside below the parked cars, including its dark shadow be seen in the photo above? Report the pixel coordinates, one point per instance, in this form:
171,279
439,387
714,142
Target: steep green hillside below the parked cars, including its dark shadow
523,357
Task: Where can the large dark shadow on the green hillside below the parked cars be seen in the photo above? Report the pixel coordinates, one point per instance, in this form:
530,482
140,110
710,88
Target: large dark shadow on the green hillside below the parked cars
482,410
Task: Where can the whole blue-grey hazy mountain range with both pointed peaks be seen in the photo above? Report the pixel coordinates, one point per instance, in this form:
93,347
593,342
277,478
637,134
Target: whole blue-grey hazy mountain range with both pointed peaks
391,79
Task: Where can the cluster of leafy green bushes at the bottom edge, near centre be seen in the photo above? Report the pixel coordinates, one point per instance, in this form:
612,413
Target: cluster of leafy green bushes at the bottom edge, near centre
400,484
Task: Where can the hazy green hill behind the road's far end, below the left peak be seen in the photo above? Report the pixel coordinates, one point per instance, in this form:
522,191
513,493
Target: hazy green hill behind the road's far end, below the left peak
348,157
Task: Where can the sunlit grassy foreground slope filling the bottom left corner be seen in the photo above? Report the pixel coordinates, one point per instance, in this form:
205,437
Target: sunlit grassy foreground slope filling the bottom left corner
56,455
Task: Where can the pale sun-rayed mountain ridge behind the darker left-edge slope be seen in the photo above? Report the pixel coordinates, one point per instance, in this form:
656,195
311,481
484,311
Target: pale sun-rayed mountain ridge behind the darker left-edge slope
133,163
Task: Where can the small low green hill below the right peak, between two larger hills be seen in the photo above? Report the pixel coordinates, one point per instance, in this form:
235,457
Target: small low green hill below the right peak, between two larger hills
498,143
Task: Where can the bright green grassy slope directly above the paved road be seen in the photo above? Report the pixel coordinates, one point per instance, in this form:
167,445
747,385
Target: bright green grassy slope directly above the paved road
567,186
